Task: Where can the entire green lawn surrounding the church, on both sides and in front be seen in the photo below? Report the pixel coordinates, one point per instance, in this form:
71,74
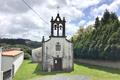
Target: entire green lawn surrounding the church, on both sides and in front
30,70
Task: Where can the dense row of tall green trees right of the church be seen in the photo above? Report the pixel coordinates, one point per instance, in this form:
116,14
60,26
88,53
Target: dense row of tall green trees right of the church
99,41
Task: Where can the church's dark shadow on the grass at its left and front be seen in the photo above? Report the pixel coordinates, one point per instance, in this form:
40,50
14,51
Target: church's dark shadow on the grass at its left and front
39,71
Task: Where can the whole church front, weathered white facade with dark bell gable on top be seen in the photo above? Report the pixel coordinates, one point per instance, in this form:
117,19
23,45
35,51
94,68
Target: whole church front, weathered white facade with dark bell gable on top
57,52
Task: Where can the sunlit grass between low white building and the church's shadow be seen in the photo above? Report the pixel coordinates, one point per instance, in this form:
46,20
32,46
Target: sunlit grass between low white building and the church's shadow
26,71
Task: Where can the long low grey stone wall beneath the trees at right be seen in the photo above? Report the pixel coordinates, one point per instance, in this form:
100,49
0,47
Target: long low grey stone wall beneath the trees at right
111,64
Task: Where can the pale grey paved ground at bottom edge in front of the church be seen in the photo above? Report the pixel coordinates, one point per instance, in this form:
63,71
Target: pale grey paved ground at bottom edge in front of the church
63,77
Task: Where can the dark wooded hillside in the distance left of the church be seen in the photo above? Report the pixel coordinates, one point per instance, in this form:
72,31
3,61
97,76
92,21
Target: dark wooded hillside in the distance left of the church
25,44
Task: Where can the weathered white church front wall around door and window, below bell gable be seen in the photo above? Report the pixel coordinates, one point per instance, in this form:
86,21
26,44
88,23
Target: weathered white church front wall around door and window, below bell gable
66,52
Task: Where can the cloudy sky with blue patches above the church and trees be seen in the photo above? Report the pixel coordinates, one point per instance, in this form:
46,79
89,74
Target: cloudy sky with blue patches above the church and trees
18,21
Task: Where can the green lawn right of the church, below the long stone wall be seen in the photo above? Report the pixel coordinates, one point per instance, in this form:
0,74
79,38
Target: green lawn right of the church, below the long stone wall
97,72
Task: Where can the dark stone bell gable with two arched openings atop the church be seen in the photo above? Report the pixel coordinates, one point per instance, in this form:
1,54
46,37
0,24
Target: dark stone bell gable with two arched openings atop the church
58,26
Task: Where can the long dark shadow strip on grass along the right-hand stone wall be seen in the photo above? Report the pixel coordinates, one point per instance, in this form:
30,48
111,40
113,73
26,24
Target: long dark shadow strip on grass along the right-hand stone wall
106,69
